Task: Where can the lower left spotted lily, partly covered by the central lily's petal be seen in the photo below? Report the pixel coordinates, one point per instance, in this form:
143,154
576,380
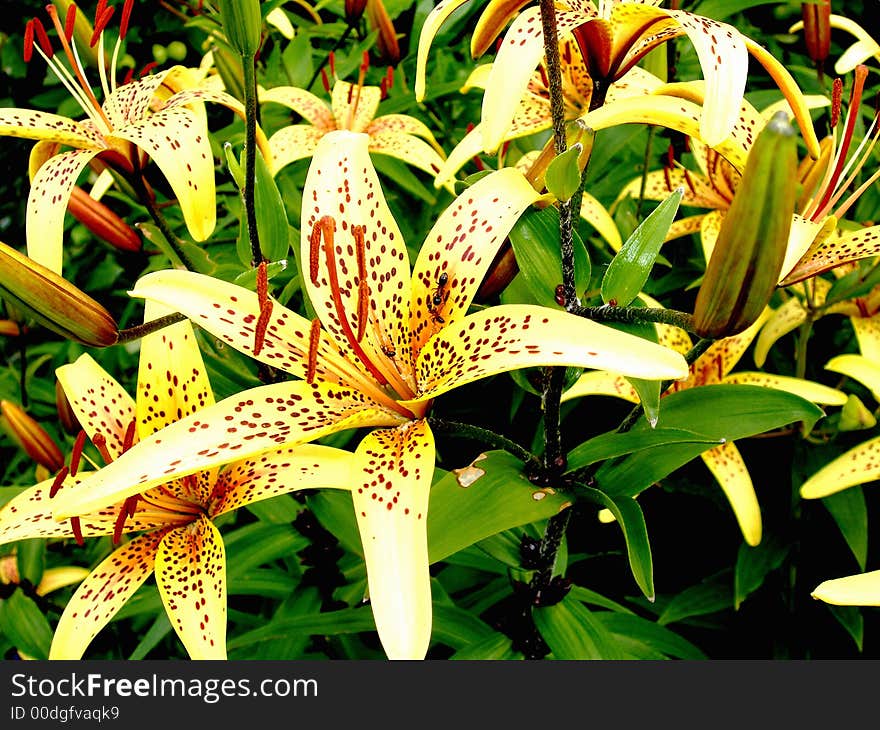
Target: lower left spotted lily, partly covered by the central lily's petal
179,542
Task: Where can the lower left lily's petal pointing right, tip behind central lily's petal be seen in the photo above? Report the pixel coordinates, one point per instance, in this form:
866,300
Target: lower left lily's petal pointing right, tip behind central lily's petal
307,466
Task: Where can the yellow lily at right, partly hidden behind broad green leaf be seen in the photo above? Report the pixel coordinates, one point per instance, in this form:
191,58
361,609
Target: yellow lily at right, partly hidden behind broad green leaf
711,368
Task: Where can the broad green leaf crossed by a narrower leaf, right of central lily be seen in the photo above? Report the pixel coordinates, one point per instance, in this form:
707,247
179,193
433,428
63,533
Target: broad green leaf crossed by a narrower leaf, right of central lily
727,412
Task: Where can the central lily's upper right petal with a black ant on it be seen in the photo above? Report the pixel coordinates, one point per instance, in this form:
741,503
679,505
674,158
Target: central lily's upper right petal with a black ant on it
462,244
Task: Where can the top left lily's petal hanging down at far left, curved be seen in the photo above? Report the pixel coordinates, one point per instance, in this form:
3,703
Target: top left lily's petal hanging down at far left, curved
47,204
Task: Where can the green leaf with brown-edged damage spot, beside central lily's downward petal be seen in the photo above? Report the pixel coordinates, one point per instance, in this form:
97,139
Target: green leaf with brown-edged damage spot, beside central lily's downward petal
497,497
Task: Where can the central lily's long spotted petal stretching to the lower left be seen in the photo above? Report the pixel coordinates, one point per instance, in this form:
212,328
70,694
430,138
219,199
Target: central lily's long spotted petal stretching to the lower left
240,426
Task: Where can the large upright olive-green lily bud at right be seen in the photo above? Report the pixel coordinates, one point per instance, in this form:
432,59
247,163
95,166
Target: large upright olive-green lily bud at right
746,262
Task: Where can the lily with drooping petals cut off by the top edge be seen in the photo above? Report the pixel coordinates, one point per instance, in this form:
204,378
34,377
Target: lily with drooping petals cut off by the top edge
614,35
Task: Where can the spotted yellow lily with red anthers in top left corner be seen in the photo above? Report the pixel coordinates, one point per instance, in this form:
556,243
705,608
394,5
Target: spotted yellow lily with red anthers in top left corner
133,122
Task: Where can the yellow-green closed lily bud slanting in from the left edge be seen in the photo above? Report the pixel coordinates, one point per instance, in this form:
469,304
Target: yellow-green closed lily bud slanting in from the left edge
54,301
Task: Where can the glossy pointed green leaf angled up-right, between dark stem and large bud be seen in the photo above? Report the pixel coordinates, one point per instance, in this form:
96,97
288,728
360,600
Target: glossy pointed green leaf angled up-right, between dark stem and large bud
630,268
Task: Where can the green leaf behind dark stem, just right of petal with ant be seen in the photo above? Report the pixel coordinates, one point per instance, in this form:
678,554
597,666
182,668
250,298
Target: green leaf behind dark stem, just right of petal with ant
535,240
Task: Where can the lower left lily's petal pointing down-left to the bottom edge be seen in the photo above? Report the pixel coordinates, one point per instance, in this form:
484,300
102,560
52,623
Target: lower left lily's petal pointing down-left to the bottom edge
97,599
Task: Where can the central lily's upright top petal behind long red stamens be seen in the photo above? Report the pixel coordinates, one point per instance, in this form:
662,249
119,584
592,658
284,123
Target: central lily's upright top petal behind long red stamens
342,184
